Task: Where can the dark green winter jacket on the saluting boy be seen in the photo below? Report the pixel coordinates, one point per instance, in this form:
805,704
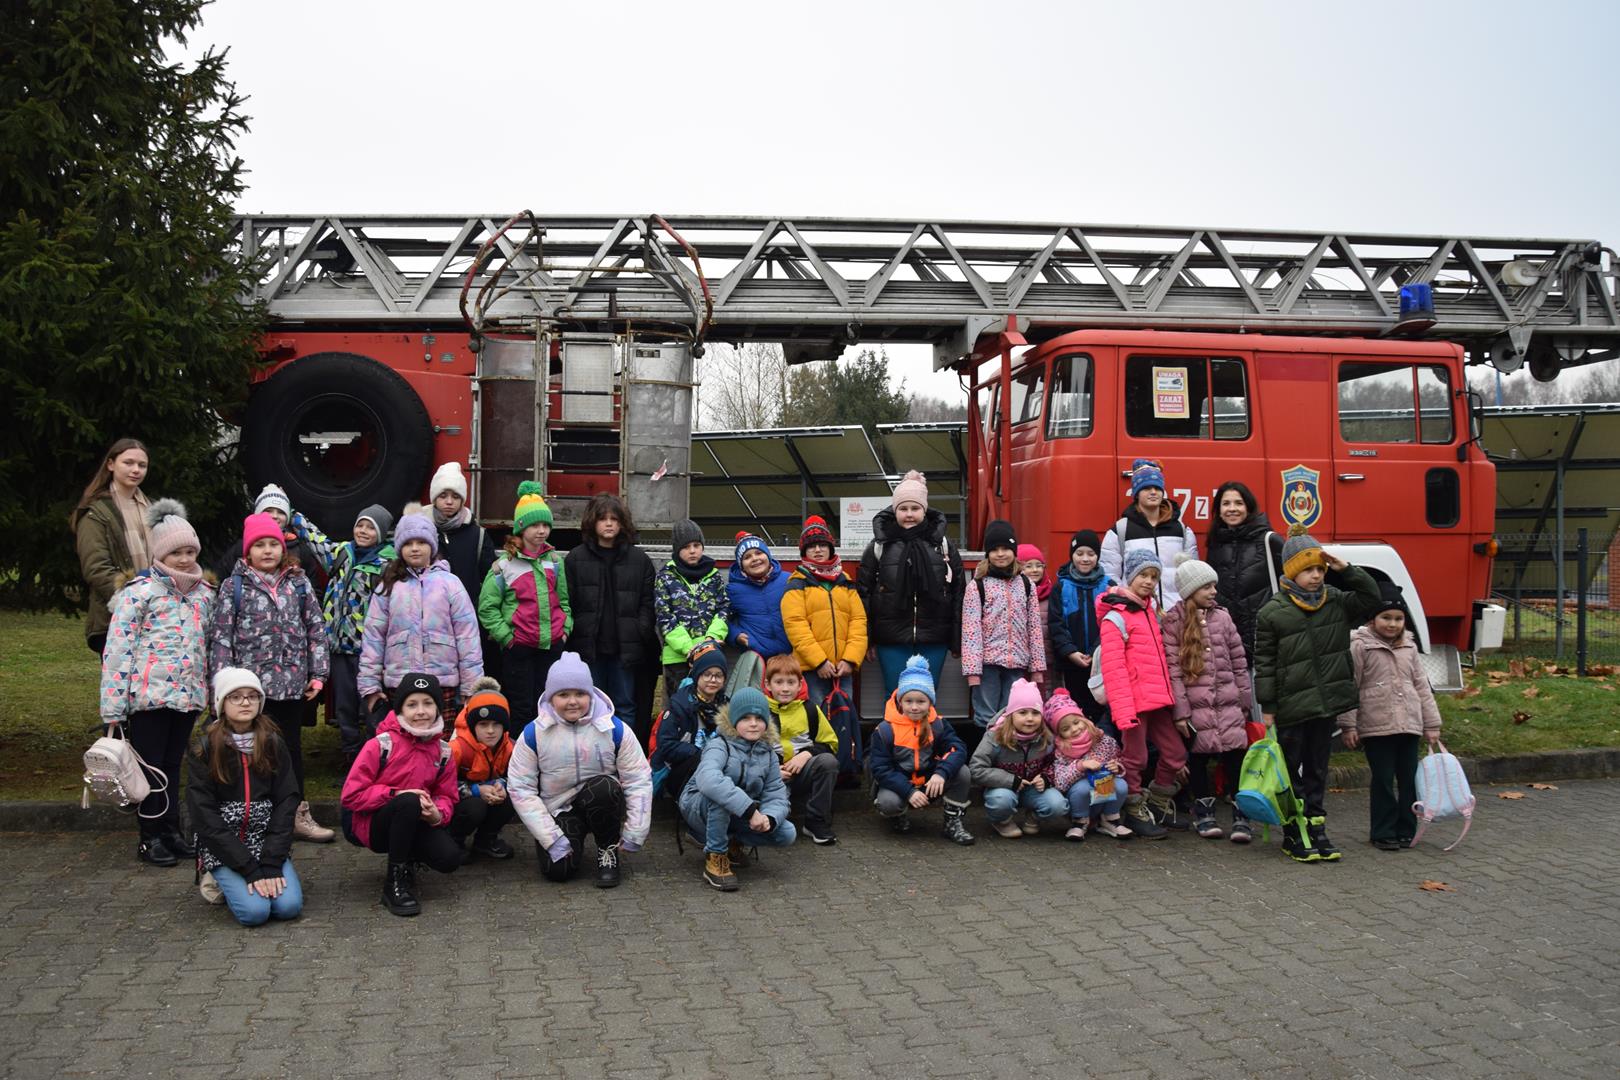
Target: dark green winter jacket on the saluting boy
1302,660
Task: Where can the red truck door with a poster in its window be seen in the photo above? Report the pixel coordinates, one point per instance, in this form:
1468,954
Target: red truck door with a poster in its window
1195,415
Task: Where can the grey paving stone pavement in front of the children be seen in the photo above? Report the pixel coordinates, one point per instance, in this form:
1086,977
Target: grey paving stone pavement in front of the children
882,956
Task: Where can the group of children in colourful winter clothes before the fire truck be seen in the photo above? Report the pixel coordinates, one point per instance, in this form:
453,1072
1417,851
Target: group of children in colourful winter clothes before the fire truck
401,639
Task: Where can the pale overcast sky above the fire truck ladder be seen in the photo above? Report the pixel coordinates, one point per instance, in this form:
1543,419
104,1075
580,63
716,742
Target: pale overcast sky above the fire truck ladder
1481,117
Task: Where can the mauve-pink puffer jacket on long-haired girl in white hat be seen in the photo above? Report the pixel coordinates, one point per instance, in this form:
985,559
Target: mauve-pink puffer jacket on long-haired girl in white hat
1219,700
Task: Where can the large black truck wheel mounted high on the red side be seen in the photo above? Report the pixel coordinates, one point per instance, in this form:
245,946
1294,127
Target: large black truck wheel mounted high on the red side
339,433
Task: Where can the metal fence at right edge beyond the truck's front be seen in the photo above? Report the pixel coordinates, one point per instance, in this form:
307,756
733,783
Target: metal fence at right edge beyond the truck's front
1558,595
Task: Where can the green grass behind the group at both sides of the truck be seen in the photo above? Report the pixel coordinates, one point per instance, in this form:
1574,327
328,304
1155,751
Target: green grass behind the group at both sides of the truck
49,682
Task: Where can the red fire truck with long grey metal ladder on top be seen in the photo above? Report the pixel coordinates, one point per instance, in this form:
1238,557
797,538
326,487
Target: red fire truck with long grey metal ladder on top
1324,370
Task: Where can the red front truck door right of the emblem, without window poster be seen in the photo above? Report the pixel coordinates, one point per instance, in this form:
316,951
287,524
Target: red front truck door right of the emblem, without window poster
1396,472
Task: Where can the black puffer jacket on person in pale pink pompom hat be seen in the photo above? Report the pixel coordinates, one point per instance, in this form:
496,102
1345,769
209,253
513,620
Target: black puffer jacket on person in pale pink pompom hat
911,582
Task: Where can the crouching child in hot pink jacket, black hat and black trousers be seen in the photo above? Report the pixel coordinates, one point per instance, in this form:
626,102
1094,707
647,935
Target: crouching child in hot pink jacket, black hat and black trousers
401,793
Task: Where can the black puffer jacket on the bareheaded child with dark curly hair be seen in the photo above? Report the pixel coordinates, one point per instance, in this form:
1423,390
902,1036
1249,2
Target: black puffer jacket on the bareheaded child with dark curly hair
612,584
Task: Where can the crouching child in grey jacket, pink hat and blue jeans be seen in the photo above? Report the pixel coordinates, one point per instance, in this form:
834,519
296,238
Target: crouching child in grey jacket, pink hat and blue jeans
1012,765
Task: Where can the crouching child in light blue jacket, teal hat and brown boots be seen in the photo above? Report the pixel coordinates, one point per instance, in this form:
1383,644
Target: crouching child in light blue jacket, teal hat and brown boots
738,791
